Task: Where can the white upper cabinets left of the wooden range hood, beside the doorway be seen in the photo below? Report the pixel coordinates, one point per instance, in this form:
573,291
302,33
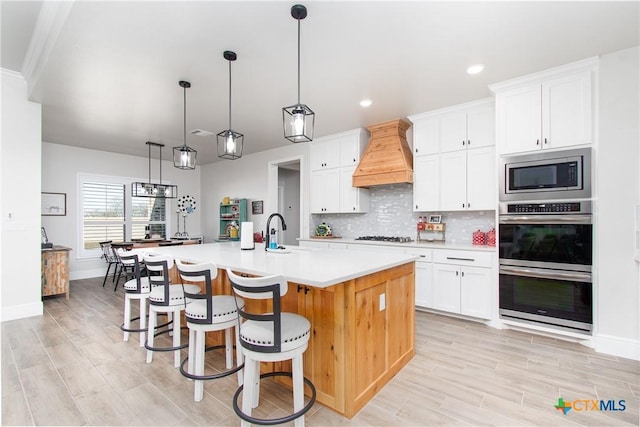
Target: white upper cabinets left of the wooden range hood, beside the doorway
333,160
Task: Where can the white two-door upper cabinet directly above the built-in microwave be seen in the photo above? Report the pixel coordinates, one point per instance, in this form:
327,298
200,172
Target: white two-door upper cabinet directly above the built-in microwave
547,110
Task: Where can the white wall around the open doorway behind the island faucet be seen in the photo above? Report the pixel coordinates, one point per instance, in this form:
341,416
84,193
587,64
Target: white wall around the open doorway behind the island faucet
249,177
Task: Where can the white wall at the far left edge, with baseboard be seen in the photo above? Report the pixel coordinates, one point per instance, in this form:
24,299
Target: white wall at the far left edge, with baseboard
20,254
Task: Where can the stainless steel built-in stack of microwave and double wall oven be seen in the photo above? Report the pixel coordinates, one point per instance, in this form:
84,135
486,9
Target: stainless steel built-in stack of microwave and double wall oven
546,239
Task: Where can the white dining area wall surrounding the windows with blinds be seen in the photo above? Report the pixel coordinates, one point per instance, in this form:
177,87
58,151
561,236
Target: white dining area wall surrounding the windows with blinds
61,165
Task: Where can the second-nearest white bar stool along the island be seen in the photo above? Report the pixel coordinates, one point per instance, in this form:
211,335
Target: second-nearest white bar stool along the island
207,312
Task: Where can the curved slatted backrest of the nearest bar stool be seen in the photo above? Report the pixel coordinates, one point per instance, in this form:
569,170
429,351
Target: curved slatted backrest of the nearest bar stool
261,288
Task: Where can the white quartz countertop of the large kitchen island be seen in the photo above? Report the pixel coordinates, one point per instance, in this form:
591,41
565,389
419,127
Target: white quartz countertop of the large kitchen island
309,266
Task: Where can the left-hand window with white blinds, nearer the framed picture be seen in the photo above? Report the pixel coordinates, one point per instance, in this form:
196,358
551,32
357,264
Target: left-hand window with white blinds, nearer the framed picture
103,213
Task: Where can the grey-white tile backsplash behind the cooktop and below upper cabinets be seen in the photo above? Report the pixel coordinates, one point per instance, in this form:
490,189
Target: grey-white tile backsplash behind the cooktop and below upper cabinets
391,214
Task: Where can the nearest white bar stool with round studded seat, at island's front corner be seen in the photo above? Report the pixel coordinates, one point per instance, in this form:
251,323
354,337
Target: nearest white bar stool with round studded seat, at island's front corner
270,337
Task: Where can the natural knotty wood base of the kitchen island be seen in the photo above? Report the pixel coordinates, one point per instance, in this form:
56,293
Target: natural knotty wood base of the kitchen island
363,333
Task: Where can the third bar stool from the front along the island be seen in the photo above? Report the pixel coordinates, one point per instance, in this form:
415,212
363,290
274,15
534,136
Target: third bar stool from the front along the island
165,298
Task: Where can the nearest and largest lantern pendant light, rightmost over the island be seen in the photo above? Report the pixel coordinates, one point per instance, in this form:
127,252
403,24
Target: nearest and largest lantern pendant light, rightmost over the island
298,120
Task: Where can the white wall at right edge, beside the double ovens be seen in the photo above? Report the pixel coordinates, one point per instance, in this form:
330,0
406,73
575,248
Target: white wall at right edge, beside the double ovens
618,187
